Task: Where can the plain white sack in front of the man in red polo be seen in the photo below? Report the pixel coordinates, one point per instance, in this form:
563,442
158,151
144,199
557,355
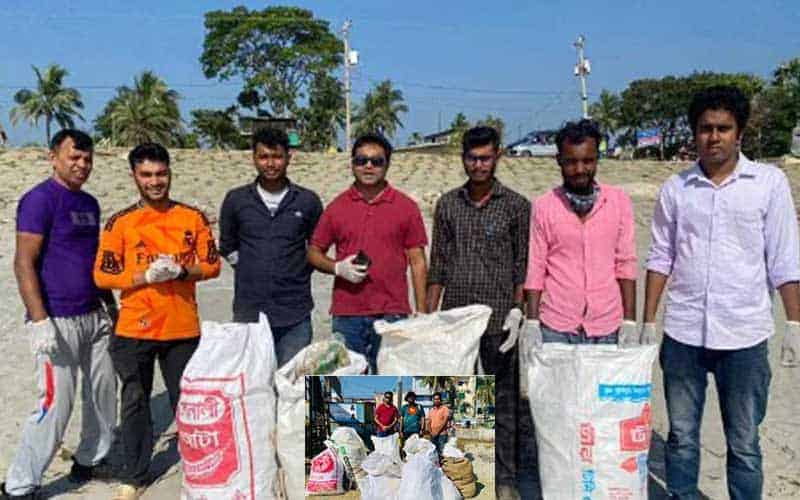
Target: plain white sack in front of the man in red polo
441,343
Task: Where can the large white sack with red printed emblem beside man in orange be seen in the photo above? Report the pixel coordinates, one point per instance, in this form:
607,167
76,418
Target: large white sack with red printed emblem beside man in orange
226,413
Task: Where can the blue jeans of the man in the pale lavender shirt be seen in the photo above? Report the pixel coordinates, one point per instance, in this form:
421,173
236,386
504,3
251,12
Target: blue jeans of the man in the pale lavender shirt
742,377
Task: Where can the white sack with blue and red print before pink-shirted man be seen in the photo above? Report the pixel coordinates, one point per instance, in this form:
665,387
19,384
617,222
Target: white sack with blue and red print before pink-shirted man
595,423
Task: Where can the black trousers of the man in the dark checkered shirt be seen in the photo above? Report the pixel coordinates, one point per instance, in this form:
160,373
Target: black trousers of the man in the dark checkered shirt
505,368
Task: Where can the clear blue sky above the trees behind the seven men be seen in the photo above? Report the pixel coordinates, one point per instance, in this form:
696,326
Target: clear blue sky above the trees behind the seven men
508,58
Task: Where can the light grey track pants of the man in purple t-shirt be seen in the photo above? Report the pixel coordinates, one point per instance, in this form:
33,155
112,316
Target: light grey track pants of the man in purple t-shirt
82,345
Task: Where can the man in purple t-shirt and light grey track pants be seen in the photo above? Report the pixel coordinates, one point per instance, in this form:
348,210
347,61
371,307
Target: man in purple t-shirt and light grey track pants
68,320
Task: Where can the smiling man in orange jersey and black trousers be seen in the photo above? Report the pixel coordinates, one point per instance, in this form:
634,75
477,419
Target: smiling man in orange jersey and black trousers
154,252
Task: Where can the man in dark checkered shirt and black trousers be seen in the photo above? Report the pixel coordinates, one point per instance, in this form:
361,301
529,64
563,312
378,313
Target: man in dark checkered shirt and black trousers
479,256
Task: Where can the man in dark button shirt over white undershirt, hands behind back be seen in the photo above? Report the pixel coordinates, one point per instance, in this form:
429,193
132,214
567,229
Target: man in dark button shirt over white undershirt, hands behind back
264,230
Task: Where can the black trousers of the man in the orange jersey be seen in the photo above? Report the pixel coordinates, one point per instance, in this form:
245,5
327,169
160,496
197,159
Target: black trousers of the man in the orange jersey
134,361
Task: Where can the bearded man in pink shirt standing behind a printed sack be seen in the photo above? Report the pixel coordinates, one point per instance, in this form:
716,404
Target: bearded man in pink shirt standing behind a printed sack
581,283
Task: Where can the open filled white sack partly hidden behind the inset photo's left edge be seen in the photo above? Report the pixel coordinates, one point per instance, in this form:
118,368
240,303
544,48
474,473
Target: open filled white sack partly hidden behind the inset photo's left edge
290,381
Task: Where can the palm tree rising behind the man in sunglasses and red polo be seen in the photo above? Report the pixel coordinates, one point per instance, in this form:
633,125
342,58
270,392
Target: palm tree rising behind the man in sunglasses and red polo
380,109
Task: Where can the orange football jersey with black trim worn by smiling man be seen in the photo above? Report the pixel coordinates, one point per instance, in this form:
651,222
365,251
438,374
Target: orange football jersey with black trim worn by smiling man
135,237
